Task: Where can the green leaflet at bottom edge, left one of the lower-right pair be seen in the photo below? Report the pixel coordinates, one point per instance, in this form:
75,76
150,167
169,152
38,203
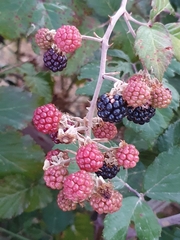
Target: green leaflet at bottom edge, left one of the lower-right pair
114,227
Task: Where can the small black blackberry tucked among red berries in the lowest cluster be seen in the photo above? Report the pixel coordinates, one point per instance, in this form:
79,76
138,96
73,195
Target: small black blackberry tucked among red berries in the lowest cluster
107,171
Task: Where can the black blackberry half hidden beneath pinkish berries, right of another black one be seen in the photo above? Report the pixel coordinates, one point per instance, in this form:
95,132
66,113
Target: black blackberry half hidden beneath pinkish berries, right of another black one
140,115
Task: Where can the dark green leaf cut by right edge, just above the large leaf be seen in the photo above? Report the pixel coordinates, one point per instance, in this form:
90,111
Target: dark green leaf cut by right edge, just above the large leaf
170,137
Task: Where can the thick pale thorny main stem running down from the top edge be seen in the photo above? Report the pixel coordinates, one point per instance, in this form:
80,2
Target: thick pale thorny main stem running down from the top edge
105,46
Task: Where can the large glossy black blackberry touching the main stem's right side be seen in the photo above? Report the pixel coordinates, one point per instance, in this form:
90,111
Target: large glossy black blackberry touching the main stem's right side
111,108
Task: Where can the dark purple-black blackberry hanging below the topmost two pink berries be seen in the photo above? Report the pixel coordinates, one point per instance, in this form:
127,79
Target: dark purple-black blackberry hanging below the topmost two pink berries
54,61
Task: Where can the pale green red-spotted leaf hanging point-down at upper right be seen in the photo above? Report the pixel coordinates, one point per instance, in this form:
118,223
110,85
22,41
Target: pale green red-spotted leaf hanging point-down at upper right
153,45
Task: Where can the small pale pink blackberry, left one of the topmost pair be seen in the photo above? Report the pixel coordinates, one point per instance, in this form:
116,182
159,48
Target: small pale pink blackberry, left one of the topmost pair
44,38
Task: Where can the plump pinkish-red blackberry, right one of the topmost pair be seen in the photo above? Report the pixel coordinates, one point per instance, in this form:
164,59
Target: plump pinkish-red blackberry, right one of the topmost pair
68,38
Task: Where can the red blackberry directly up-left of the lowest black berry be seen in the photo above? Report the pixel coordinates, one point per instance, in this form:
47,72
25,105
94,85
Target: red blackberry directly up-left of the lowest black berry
89,158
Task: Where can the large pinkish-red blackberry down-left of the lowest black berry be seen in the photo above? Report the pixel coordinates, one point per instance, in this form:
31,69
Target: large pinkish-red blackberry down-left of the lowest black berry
78,186
